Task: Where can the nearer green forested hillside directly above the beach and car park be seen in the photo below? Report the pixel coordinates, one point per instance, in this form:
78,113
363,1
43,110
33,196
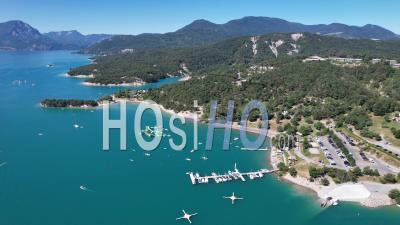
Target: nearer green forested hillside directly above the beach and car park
320,90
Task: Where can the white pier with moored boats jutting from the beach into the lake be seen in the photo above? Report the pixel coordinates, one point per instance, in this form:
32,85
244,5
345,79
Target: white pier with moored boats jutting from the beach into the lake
230,176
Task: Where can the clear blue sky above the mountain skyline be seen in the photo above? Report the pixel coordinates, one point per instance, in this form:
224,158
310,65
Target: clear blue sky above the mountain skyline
159,16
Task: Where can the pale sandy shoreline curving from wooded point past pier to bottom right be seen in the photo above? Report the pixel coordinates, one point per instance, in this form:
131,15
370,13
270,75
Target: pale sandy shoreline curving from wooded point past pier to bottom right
372,195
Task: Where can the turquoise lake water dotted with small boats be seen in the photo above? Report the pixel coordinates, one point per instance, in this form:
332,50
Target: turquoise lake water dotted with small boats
39,184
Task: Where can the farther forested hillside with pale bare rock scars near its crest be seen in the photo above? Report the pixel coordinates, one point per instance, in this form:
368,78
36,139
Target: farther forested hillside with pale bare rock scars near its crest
271,50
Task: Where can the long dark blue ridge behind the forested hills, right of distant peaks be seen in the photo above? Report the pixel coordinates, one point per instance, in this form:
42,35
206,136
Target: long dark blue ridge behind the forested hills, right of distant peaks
202,32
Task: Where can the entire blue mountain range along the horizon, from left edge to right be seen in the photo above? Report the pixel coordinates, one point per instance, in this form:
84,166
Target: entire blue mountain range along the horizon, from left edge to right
17,35
